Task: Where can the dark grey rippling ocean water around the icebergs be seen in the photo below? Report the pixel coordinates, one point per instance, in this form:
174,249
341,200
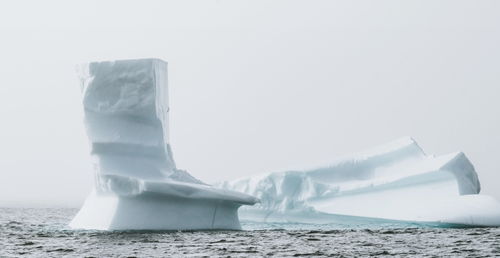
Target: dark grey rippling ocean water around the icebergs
44,233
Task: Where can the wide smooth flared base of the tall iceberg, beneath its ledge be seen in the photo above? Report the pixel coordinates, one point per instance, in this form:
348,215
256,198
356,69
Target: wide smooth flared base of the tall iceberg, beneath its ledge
151,211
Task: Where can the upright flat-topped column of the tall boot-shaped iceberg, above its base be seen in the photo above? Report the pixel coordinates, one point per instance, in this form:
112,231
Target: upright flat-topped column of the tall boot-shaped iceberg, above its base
126,115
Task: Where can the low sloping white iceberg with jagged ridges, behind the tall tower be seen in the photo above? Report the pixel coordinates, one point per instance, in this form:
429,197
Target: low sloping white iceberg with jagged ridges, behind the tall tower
394,182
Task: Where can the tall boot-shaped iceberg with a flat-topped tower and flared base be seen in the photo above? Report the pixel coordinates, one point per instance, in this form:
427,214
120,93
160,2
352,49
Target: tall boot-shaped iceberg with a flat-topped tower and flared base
137,185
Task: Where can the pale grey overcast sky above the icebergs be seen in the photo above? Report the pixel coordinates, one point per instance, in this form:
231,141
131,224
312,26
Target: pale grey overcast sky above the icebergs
255,86
